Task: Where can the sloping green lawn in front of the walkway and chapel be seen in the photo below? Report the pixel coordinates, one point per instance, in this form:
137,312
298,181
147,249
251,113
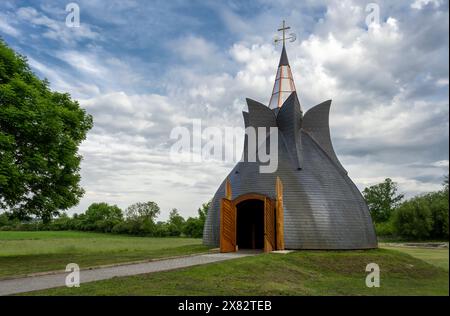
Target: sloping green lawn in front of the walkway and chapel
297,273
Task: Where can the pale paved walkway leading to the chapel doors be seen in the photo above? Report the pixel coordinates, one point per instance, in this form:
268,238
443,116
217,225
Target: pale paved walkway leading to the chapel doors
34,283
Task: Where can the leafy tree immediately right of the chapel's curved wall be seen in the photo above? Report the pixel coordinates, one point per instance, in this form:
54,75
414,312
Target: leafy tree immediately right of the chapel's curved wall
382,199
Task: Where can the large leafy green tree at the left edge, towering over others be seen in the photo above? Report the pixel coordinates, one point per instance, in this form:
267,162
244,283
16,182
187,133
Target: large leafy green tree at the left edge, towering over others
40,132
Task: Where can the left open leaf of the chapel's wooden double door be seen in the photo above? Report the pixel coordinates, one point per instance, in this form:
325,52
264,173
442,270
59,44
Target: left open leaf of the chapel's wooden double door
227,226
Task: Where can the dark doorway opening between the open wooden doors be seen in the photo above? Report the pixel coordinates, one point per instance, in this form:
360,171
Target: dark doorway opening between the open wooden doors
250,224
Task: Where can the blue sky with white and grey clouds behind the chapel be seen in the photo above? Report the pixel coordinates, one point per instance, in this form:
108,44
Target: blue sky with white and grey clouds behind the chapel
142,68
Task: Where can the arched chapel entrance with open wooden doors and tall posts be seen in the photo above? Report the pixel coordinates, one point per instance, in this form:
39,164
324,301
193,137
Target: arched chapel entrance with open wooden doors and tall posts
252,221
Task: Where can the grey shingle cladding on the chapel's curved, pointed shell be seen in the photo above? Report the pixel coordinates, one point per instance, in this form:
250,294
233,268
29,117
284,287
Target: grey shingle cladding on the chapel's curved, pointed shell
322,207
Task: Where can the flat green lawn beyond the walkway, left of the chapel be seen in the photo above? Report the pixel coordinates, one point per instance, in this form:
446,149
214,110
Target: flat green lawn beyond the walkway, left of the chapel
29,252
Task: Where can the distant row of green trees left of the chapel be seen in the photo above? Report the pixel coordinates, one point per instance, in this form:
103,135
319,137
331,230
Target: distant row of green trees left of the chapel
138,219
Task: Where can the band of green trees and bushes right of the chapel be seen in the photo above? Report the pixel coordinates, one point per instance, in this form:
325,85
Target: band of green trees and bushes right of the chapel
423,217
